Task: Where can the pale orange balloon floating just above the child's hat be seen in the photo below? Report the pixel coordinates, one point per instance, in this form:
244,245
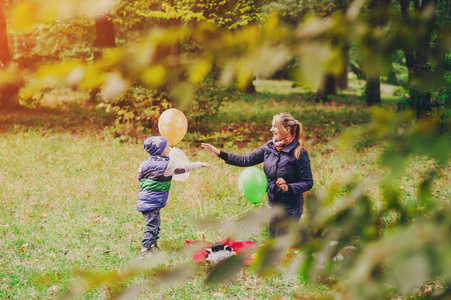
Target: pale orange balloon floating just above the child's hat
172,125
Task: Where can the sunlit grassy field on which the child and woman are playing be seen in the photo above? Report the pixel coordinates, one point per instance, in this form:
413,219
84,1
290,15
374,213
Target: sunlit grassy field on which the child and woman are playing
68,194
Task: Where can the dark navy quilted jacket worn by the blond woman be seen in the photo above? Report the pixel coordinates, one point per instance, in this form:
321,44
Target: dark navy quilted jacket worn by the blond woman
296,172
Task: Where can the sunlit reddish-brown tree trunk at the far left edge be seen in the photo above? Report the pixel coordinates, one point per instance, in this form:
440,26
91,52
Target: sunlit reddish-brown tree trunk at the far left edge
9,91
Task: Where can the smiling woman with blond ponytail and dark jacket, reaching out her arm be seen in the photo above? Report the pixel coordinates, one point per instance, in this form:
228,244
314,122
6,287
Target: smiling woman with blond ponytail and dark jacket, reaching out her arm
286,165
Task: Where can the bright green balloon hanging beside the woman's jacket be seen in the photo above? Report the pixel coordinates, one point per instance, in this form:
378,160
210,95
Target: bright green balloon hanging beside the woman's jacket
253,184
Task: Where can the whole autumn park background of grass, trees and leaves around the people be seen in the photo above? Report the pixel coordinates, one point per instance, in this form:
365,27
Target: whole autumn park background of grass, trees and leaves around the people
82,83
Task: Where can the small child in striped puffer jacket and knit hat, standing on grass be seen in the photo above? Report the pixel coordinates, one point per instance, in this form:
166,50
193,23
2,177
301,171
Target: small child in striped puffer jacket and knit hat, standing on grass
155,175
